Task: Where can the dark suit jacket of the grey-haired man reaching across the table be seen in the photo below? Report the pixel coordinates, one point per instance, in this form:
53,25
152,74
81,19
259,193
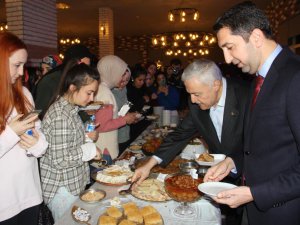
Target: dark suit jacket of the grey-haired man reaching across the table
198,122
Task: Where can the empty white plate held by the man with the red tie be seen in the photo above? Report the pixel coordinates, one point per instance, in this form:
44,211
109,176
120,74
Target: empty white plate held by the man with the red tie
213,188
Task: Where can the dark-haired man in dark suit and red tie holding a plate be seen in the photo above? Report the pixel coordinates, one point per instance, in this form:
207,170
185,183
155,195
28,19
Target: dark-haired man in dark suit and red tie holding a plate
270,160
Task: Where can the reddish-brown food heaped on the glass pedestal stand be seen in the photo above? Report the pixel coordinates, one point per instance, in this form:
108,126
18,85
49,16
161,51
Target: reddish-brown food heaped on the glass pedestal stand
183,188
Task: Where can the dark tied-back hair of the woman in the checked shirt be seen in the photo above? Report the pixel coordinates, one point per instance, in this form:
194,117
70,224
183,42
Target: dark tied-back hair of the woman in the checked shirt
77,74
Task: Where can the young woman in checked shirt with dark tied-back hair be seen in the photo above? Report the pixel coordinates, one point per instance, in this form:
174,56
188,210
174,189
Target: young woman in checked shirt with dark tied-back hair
64,168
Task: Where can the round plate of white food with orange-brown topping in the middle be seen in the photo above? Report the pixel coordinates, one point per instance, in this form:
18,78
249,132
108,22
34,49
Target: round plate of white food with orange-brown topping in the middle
114,175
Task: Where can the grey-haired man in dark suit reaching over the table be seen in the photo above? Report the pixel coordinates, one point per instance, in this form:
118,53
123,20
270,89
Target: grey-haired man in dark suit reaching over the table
217,110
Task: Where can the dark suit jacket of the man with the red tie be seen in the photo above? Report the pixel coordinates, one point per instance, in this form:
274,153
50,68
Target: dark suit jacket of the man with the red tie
271,153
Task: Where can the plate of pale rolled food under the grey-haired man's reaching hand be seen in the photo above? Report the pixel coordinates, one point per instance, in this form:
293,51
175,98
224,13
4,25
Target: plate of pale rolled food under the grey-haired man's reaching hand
151,190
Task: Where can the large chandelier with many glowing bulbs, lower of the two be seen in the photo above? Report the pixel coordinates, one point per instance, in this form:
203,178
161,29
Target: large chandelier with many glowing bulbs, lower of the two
184,43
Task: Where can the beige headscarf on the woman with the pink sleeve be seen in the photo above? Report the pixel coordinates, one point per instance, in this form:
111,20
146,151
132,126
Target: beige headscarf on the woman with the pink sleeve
111,69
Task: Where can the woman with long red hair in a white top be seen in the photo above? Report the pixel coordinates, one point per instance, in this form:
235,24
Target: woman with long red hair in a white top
20,189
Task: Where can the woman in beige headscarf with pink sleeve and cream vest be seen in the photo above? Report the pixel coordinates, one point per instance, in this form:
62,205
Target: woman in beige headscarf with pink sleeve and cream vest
112,70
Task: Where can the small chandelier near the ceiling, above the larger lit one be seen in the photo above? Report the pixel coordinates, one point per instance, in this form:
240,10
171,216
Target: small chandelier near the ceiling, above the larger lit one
182,14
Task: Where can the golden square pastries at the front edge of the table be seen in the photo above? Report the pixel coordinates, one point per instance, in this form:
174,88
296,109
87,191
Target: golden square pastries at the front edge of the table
130,214
